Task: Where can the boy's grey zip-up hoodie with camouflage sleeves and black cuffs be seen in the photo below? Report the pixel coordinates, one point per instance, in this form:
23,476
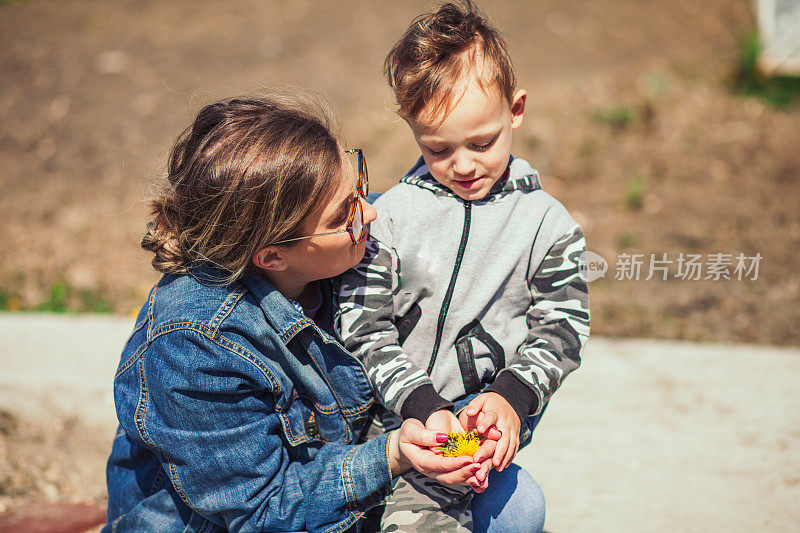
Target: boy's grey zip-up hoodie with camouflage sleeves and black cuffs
454,296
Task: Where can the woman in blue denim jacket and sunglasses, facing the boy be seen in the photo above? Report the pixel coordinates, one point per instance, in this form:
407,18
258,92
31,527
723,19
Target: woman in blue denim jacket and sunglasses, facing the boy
238,408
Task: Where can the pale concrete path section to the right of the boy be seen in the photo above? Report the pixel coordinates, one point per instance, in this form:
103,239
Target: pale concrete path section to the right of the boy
669,436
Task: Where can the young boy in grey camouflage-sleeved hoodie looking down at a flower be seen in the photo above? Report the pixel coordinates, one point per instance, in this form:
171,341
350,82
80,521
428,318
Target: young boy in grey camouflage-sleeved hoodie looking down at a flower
469,299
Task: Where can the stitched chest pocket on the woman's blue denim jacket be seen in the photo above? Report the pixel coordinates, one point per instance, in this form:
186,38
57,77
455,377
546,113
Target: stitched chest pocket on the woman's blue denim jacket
304,420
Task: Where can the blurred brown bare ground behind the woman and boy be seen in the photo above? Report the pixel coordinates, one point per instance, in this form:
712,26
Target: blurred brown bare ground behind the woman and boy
650,121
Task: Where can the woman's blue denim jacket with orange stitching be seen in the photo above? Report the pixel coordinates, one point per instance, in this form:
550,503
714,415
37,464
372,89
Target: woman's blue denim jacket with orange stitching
237,412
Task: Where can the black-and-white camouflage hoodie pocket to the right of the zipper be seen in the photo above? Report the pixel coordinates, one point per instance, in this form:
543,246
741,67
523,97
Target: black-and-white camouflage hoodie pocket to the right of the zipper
480,357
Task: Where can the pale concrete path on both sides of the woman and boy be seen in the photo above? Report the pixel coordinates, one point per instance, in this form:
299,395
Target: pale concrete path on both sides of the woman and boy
646,436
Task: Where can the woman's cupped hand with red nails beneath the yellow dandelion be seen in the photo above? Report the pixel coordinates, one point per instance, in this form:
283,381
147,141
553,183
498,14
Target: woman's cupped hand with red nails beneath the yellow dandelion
411,447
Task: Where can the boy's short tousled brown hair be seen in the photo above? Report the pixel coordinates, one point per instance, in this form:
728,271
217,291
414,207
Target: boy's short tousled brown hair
438,50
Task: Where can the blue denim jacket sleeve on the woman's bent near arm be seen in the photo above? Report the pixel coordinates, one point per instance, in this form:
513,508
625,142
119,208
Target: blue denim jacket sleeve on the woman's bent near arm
214,426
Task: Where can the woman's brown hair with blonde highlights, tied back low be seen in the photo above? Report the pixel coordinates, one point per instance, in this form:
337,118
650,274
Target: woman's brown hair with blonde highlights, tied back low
248,172
